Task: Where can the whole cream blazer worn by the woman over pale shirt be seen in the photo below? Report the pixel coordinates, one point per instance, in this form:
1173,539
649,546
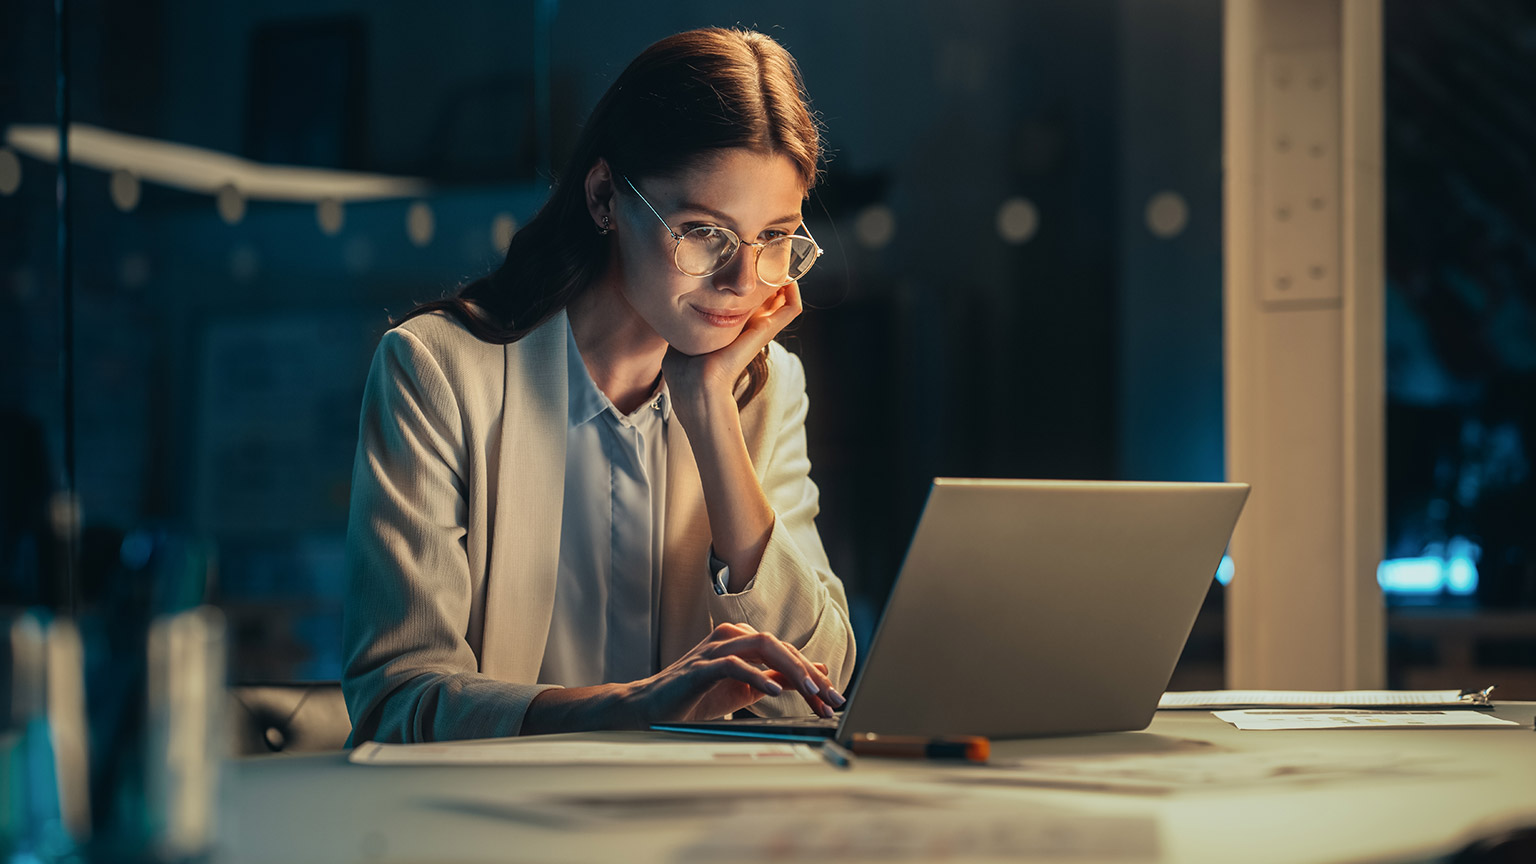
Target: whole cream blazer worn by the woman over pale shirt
455,527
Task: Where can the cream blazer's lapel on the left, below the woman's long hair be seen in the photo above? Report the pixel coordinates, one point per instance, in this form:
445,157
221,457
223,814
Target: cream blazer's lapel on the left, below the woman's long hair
526,507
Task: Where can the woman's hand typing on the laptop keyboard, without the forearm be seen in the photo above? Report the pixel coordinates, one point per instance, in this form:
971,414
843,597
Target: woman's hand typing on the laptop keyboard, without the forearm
729,671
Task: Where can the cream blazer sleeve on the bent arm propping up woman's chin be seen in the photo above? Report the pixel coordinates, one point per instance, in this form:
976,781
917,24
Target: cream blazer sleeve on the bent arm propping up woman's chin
795,594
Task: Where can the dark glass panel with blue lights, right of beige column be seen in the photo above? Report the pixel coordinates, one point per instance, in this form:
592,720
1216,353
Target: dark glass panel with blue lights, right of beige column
1460,567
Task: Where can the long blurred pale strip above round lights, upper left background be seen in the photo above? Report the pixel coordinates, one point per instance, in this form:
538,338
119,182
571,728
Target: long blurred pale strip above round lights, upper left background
199,170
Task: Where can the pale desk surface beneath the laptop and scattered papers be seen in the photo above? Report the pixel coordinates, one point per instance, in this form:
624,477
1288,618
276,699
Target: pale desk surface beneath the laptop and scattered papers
322,809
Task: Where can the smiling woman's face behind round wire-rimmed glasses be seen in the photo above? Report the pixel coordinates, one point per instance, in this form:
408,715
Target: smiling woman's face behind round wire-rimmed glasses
756,196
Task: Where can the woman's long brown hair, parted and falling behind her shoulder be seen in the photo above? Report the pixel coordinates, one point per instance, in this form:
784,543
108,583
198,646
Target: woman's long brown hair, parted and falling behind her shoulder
683,99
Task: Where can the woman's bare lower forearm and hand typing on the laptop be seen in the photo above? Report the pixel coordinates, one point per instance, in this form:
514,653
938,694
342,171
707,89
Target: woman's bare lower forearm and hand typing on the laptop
729,671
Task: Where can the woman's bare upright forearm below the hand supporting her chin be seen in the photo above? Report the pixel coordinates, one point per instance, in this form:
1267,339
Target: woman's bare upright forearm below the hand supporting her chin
741,519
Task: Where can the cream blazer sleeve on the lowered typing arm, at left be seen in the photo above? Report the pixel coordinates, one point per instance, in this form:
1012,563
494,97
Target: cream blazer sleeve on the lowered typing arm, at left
411,674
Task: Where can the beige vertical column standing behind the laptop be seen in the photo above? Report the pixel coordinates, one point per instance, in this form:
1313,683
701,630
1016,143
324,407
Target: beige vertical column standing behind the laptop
1305,351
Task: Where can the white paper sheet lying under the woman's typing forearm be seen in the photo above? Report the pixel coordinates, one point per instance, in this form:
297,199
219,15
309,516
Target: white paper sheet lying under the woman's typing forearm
537,753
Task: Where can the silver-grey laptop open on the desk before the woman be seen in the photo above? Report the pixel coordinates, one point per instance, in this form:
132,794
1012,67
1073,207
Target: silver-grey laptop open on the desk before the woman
1030,608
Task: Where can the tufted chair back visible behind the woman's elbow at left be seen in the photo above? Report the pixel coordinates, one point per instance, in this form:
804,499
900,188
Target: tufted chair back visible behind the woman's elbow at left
286,719
